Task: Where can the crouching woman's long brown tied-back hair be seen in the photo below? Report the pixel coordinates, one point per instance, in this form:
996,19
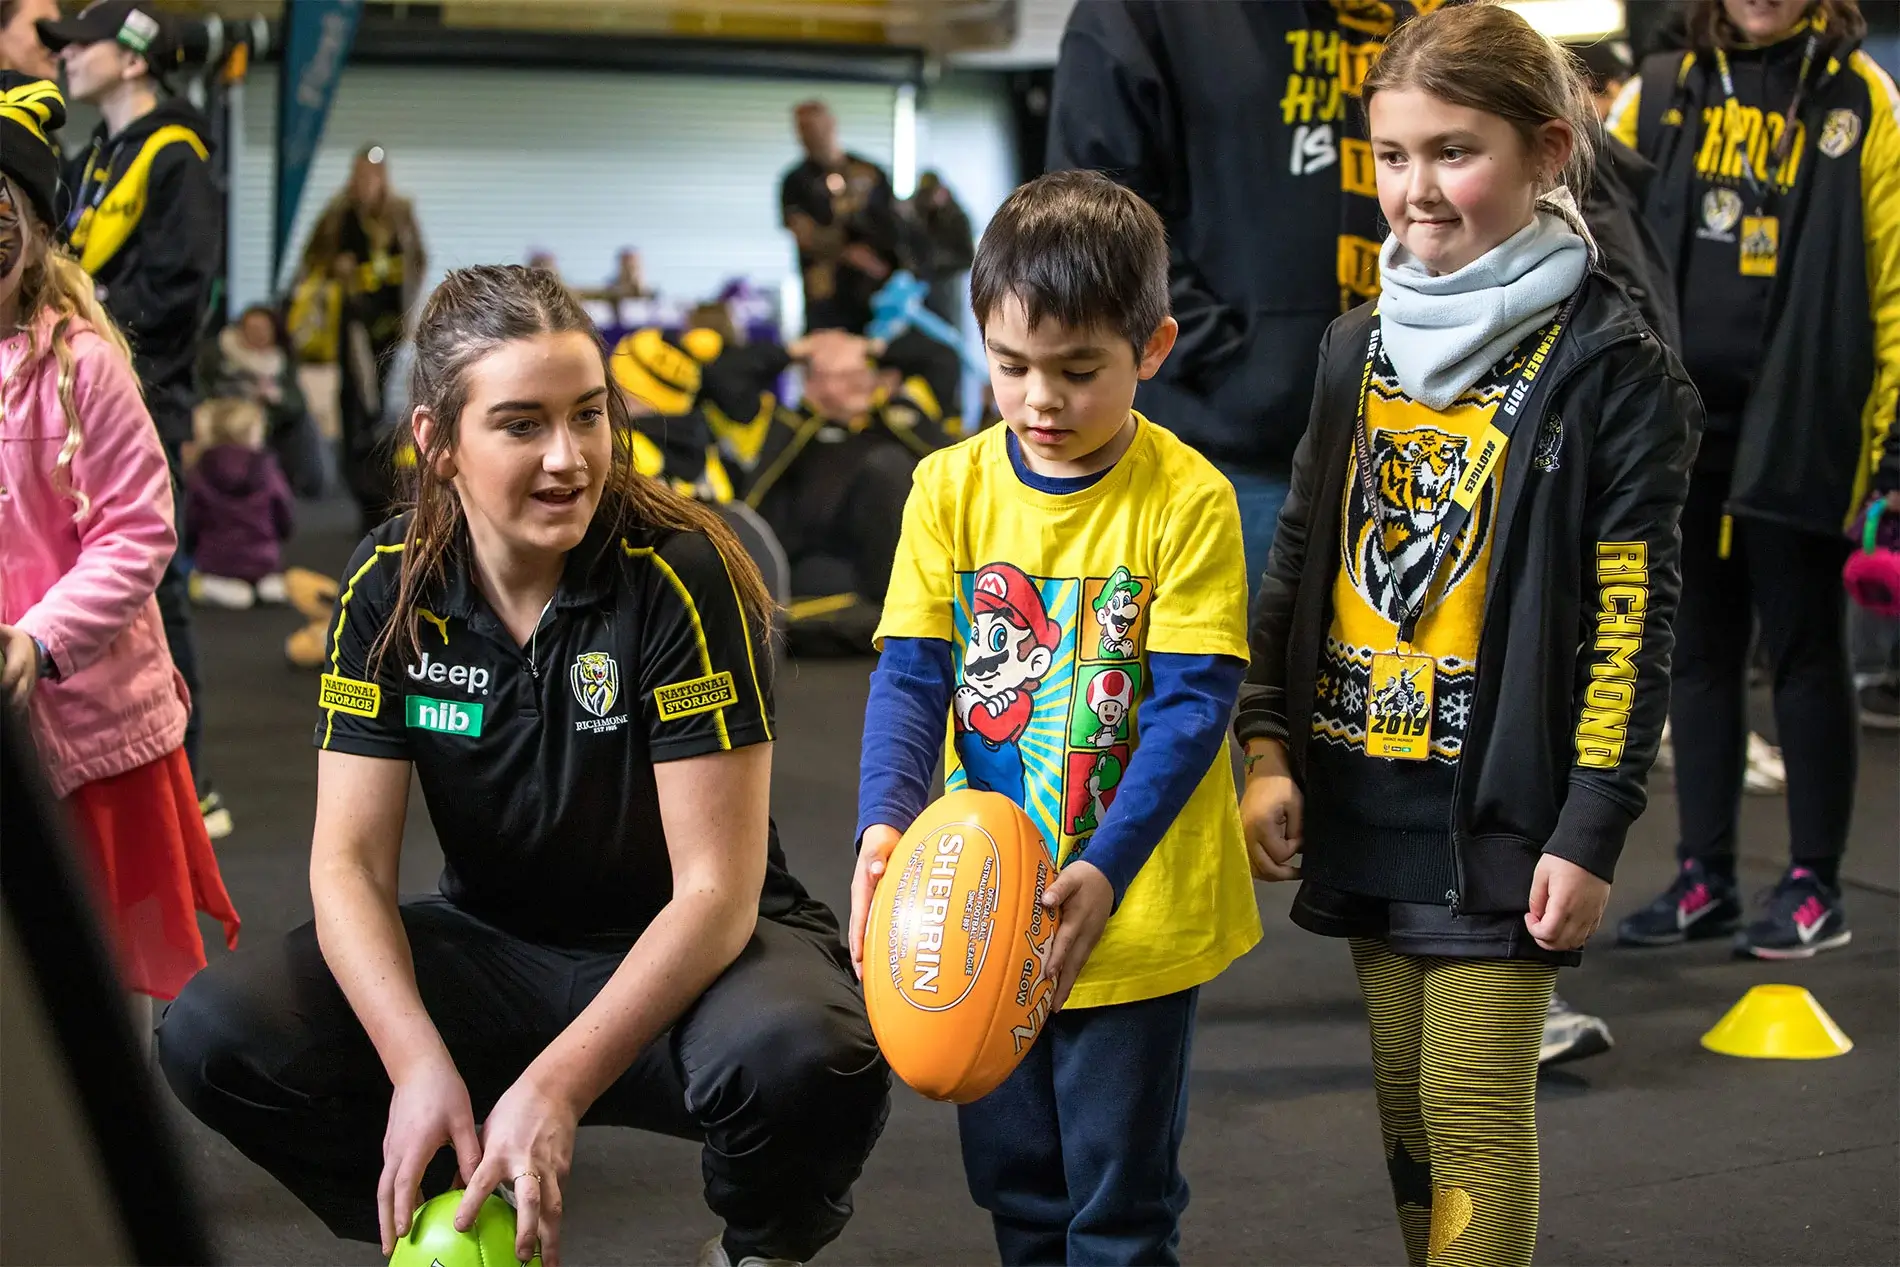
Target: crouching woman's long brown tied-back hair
470,314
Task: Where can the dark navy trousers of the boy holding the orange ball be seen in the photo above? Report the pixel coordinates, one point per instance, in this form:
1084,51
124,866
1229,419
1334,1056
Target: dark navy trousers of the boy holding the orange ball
1078,1156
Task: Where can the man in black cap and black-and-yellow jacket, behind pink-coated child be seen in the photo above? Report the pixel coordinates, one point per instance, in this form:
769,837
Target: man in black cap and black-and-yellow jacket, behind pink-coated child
149,225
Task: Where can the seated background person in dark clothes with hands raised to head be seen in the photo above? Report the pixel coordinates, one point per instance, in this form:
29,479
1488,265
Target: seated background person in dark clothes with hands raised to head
831,478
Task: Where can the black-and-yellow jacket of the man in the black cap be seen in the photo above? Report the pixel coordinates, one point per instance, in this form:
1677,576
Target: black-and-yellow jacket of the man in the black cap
151,233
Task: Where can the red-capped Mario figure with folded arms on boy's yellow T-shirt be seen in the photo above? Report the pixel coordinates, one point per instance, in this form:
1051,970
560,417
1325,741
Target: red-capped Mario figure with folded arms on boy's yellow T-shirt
1012,649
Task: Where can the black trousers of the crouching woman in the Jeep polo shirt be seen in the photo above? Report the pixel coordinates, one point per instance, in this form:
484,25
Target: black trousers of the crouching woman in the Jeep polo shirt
774,1068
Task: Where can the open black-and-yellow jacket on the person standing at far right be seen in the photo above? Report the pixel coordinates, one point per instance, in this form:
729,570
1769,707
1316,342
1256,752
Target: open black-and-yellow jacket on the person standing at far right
1819,430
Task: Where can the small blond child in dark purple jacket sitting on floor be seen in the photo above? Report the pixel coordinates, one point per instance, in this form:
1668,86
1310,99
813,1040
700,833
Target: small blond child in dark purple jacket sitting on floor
238,510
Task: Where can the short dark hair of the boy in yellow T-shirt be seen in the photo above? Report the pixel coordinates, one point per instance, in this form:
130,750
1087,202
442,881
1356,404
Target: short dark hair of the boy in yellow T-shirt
1080,250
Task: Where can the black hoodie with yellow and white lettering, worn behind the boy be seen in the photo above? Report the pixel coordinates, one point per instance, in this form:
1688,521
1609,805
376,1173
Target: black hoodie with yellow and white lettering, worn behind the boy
1240,123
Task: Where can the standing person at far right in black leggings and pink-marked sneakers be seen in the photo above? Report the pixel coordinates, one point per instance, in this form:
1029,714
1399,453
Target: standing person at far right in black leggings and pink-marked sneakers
1777,145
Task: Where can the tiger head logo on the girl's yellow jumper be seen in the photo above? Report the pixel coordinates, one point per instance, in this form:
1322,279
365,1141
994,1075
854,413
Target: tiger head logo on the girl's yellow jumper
1416,474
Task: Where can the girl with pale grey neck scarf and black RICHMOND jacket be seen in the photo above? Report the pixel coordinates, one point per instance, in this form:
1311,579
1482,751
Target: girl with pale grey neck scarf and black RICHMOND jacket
1485,502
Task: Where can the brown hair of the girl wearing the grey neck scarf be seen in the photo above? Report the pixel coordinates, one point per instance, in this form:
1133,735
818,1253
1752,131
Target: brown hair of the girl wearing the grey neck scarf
1487,58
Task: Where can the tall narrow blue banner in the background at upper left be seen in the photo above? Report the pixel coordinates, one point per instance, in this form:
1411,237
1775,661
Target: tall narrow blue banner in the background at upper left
316,45
